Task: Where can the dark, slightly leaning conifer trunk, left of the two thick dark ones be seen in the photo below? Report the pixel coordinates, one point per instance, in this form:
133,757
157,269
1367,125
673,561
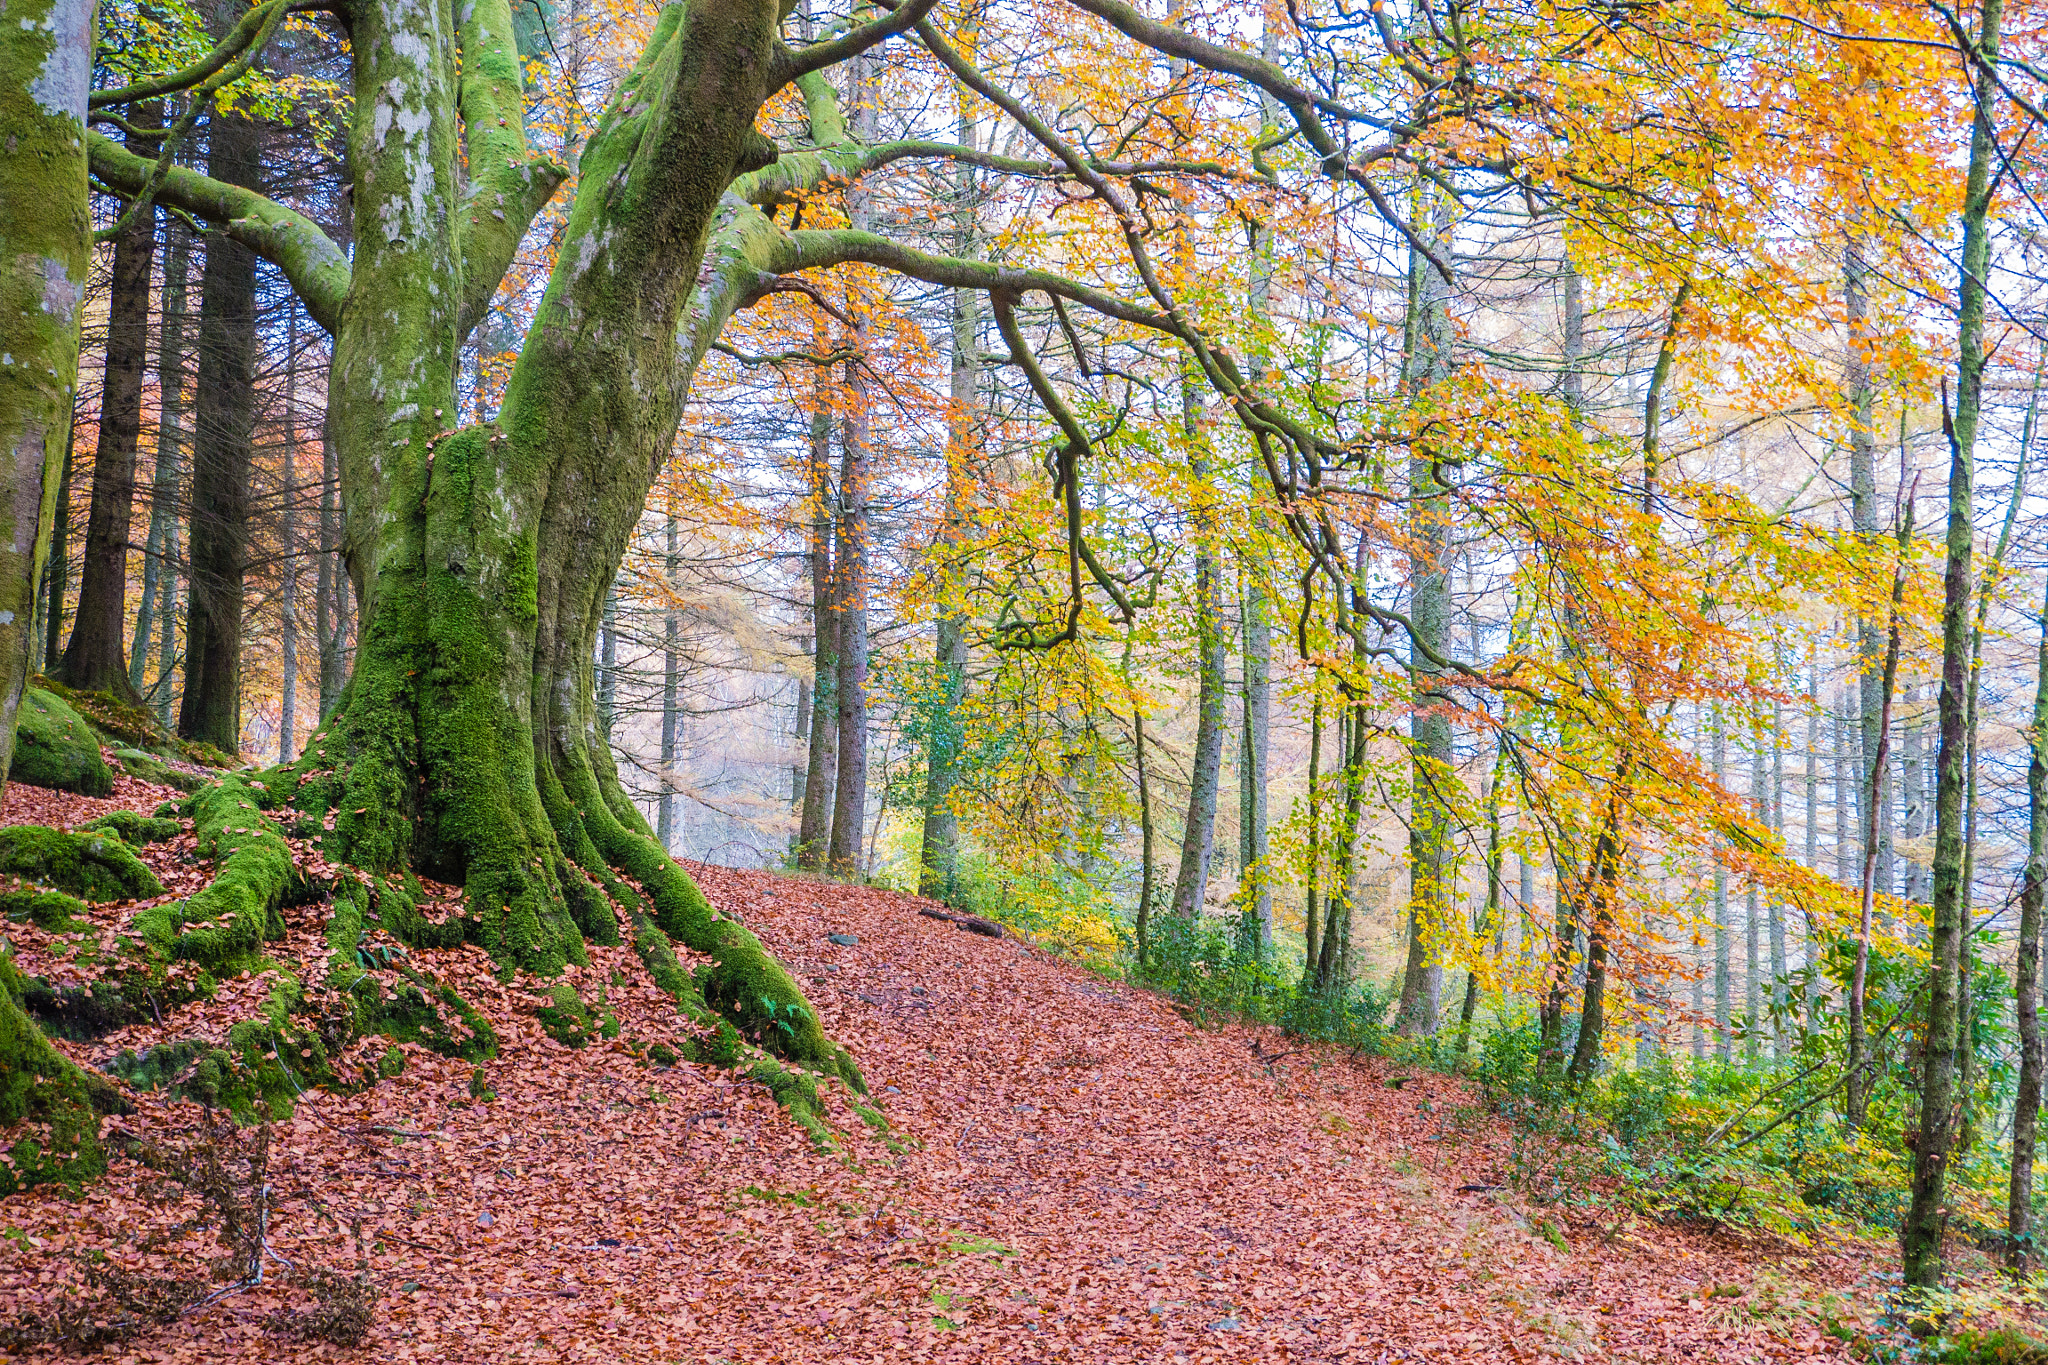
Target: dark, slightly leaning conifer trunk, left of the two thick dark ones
95,662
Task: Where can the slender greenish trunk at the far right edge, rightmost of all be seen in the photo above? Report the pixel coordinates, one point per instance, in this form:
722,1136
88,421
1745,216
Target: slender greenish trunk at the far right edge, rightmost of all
2029,977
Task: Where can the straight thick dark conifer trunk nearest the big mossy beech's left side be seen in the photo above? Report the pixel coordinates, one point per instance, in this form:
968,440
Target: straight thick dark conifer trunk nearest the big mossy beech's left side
224,433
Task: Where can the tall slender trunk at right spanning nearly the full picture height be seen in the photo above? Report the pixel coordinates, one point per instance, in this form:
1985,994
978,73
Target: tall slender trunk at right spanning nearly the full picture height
1947,973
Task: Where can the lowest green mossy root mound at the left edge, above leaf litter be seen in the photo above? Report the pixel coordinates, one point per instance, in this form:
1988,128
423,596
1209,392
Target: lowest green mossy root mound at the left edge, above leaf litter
42,1090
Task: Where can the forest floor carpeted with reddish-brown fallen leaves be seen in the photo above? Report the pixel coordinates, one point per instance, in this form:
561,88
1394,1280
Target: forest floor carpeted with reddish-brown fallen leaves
1074,1174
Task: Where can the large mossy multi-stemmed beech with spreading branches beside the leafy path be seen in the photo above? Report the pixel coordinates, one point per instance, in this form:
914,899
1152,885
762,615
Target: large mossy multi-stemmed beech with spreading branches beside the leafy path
468,746
